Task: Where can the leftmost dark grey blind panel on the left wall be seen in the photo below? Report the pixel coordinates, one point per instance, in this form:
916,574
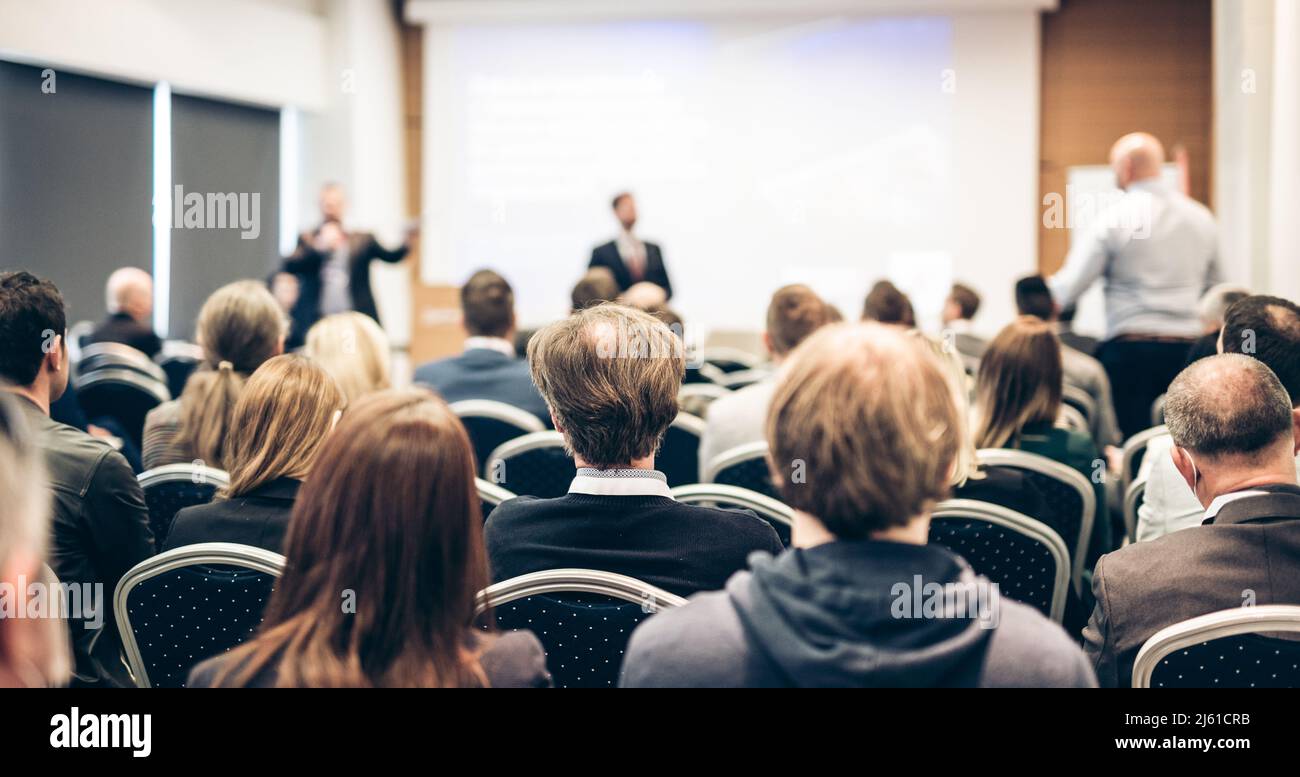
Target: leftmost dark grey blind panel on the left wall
76,181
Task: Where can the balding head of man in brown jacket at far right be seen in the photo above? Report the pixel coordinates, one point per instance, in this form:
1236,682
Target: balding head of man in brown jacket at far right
1228,406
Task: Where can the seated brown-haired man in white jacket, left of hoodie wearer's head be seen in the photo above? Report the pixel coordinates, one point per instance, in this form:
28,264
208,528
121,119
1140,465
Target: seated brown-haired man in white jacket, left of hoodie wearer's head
738,419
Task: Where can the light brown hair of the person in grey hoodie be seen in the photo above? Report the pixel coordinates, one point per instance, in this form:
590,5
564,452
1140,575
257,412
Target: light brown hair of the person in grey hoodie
868,415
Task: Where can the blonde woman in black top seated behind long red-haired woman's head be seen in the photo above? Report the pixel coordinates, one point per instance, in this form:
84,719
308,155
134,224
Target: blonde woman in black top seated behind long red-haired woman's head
284,415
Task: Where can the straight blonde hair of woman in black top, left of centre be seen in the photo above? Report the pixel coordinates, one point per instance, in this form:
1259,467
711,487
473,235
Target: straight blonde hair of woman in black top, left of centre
284,415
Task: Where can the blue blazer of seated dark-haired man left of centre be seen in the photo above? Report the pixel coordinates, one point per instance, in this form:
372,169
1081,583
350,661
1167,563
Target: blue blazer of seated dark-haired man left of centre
483,374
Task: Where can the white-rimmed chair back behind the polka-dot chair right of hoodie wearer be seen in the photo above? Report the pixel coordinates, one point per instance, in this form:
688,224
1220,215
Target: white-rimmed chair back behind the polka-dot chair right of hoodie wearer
1068,496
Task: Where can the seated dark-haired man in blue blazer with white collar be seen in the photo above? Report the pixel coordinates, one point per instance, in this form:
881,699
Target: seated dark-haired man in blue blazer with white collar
488,368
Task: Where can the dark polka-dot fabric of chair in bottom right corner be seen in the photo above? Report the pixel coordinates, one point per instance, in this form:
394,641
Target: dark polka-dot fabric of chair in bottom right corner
1243,661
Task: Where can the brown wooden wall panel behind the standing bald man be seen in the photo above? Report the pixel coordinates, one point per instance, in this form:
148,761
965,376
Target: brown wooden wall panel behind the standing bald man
1115,67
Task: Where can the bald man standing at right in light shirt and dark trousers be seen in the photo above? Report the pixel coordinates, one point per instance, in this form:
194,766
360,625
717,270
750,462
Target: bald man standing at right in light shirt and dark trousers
1158,253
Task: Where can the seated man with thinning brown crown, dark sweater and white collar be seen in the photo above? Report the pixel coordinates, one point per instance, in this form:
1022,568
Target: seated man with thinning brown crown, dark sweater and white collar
610,376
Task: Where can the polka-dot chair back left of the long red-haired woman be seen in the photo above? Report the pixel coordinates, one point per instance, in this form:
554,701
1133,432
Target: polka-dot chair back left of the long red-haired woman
189,605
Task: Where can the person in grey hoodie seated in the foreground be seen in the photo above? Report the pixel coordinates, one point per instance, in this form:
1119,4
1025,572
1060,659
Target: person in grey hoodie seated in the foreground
864,432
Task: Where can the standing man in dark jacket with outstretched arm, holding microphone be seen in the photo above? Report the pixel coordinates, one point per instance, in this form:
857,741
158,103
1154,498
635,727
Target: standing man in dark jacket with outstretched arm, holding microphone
332,266
